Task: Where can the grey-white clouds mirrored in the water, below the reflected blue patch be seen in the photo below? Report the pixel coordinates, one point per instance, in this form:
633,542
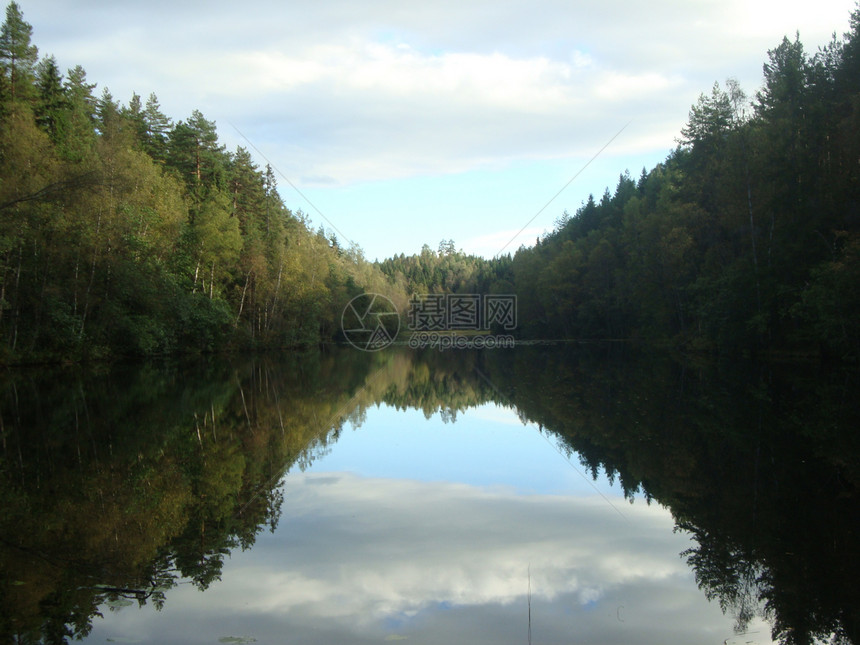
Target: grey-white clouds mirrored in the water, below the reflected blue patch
359,560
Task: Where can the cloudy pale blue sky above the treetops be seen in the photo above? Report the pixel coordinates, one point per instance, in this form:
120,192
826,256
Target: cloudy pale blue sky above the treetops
396,124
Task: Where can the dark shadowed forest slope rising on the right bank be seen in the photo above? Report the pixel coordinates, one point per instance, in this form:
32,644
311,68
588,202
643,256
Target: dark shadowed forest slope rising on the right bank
746,238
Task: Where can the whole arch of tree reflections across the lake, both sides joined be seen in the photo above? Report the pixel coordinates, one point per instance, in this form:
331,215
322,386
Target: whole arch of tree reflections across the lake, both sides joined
117,484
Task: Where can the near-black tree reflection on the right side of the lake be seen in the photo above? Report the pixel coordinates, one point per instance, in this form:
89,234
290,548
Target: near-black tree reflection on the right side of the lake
759,464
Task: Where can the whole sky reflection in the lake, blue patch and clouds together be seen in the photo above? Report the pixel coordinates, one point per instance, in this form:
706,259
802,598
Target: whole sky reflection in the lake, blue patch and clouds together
418,531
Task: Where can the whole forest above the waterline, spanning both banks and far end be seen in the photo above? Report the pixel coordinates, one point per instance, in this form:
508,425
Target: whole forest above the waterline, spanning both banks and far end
125,232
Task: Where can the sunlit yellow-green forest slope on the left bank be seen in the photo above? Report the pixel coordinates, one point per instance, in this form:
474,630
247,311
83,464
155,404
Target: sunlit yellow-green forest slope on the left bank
124,232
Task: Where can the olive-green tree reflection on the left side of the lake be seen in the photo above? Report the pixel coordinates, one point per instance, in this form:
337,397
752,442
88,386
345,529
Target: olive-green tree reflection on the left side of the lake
116,484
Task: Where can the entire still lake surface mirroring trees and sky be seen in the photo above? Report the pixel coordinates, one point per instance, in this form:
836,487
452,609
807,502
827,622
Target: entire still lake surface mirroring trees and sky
542,494
